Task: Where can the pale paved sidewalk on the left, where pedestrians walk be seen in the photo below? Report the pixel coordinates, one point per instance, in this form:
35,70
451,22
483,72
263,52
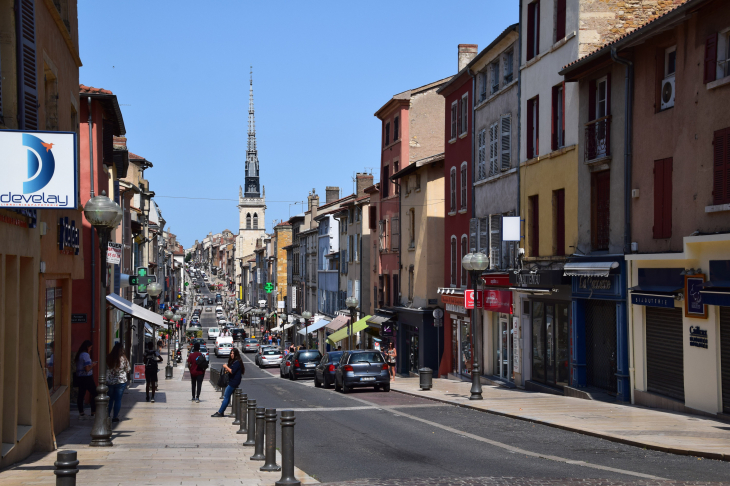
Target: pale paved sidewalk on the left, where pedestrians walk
171,442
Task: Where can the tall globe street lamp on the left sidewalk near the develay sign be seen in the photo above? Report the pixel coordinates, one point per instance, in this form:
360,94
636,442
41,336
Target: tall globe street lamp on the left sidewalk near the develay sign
104,215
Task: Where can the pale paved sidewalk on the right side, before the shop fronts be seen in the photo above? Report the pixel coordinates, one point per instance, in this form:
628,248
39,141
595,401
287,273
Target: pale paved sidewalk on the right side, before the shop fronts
665,431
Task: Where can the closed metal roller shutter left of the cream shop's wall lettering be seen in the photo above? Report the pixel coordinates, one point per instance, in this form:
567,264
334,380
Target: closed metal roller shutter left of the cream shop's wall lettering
664,352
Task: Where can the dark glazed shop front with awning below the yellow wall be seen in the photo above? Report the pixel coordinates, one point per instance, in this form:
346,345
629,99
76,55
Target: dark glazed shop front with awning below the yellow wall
543,297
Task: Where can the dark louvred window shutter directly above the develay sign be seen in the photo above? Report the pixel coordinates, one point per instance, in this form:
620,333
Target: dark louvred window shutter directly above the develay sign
27,69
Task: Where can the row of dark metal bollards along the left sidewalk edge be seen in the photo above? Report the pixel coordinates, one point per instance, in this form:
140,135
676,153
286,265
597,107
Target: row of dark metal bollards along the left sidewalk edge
259,425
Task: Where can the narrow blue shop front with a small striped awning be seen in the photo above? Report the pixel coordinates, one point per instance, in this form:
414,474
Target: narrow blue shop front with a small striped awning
599,356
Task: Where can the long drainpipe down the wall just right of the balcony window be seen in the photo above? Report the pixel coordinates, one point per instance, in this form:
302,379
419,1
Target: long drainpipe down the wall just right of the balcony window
628,113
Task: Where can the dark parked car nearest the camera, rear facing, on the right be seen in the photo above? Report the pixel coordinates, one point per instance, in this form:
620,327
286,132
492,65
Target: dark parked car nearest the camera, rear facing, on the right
362,368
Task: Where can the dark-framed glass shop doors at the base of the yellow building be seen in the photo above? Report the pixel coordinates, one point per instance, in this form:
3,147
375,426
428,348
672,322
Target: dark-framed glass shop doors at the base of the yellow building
550,343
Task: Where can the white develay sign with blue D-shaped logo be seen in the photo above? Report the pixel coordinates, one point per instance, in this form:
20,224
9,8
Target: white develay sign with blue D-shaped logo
39,170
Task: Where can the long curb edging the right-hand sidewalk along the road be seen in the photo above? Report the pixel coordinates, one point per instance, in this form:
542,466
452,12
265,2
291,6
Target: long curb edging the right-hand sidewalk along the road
613,438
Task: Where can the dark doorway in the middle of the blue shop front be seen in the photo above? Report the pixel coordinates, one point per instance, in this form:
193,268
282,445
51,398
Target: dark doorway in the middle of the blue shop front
601,345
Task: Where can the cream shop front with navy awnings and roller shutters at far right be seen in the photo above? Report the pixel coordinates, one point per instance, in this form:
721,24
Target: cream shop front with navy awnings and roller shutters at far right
679,321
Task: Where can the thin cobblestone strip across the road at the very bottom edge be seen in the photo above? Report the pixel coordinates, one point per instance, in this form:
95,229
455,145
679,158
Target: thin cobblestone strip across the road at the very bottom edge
508,481
